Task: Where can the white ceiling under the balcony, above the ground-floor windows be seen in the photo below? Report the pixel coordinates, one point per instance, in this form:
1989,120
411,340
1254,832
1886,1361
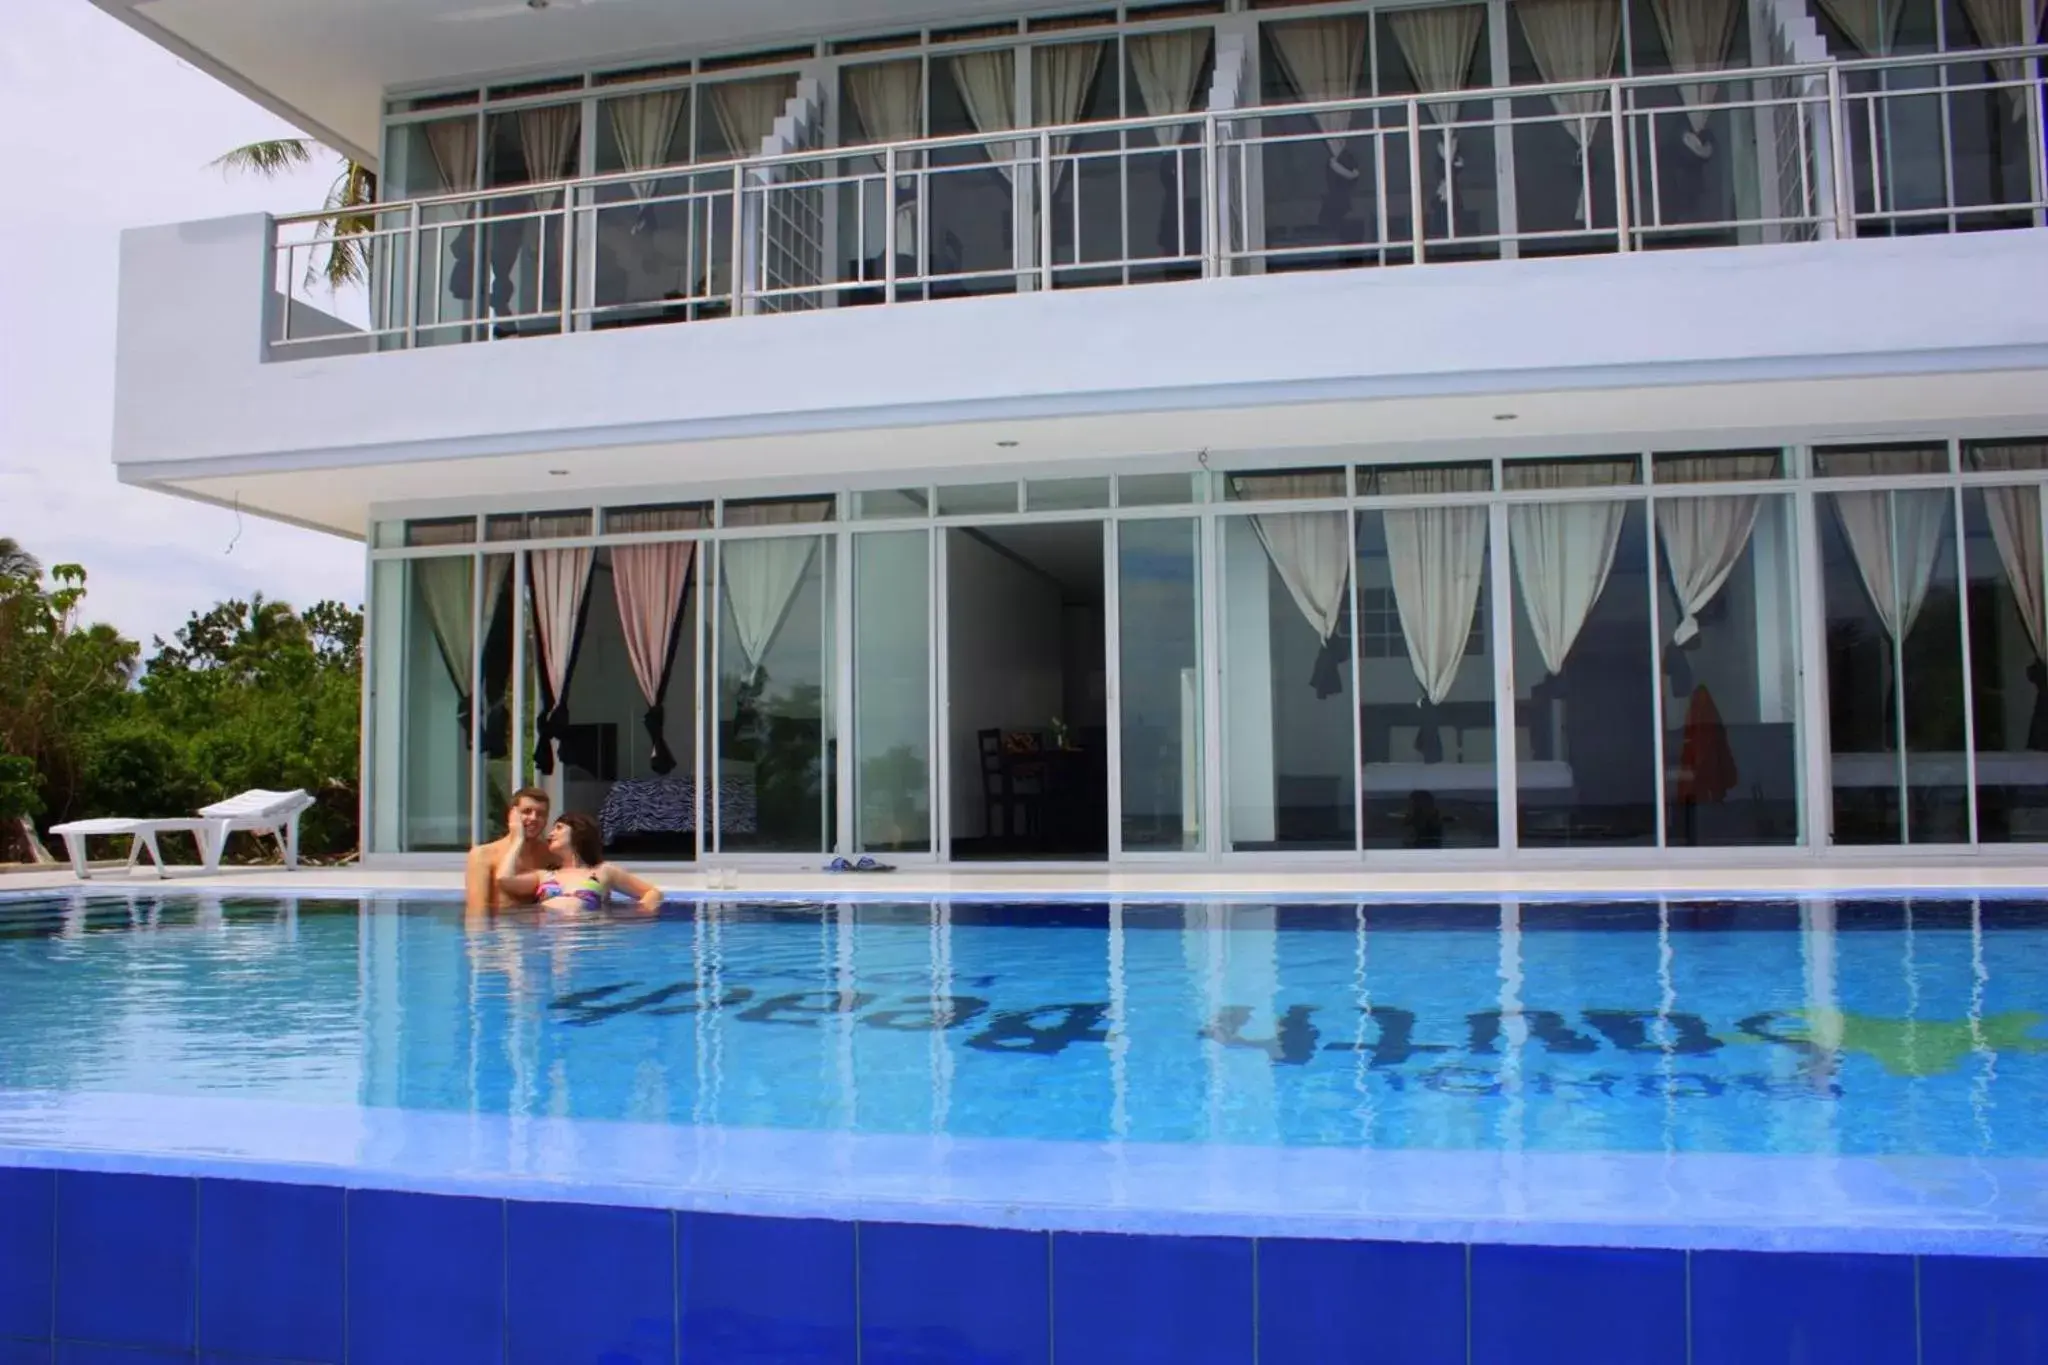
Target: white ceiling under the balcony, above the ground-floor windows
1555,423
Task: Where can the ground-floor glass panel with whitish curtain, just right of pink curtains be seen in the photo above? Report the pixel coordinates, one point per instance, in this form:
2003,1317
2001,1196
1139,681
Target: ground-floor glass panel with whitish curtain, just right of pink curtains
775,781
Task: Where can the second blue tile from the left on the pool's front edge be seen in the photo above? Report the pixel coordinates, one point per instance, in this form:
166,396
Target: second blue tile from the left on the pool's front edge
126,1260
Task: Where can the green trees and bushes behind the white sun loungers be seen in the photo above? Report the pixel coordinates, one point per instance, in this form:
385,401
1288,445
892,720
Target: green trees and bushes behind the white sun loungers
247,695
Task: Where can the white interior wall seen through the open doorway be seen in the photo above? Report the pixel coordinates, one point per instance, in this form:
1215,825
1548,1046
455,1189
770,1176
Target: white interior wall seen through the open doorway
1005,662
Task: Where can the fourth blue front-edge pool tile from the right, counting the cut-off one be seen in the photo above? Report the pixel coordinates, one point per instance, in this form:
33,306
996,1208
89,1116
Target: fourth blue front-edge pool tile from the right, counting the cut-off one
1367,1303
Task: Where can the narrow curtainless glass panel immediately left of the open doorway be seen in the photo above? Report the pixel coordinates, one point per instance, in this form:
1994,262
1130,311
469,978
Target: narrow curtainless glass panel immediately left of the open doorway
894,693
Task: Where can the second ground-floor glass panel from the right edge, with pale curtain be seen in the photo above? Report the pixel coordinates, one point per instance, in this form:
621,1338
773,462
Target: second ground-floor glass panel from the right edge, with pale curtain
1895,668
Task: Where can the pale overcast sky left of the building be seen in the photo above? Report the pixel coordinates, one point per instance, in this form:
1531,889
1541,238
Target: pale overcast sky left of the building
99,132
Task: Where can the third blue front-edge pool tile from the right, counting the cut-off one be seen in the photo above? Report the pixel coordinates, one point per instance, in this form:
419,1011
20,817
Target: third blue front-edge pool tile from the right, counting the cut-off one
1578,1307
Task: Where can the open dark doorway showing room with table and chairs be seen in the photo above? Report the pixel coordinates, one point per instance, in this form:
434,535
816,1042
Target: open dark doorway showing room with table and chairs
1029,693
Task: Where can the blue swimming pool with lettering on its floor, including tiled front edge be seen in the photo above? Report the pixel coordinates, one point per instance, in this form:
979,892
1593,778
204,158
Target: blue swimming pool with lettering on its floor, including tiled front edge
1451,1114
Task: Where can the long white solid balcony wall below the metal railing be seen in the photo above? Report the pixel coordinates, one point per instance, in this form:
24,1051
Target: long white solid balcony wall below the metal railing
194,386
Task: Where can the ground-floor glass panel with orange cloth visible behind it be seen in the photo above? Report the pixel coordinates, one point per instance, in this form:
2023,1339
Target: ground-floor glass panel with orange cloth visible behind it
1730,668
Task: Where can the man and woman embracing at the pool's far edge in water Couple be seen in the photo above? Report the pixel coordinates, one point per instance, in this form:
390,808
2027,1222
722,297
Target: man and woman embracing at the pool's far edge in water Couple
554,869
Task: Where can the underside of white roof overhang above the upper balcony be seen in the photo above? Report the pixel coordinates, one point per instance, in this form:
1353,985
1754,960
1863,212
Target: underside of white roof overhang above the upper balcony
327,64
